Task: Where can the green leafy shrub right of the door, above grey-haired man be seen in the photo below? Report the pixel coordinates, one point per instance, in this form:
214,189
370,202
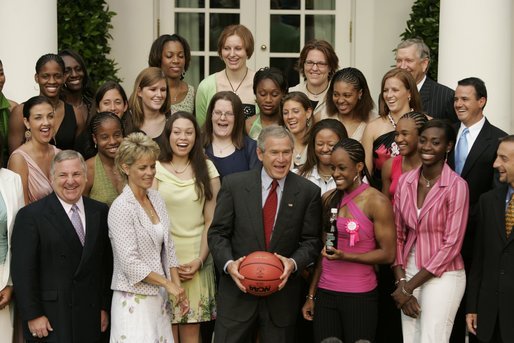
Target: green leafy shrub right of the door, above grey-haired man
424,24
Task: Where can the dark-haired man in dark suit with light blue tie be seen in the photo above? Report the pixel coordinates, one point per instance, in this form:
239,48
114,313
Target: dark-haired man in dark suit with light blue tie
472,158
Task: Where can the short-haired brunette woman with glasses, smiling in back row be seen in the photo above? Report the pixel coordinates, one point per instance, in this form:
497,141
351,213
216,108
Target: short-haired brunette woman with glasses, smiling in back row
317,63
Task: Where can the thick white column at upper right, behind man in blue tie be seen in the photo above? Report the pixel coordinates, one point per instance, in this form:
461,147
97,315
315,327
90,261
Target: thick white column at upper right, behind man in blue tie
475,39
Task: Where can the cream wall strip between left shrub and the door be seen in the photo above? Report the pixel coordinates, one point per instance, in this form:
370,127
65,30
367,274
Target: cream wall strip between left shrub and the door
134,29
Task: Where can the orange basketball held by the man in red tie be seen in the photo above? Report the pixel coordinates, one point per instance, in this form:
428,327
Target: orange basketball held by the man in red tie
262,271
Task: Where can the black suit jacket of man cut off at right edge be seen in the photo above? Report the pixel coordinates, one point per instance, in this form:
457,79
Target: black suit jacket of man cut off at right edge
491,281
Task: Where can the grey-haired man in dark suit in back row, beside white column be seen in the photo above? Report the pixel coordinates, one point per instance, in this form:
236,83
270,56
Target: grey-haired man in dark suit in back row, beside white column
413,55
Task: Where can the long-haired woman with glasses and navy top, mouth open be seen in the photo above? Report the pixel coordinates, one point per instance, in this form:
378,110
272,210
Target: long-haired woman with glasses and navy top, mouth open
224,138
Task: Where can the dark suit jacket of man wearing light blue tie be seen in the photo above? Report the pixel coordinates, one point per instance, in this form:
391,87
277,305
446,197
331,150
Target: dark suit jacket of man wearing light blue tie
480,175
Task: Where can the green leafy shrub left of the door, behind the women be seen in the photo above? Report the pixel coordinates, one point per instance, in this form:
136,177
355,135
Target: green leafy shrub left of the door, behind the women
83,25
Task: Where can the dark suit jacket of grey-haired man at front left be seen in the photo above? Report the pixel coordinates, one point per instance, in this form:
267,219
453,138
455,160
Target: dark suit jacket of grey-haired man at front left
54,276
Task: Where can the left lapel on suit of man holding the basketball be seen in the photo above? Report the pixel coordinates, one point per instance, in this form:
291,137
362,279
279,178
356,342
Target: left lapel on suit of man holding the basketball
254,208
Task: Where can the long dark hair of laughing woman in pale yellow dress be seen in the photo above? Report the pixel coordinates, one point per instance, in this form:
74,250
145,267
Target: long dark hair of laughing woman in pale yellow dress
196,155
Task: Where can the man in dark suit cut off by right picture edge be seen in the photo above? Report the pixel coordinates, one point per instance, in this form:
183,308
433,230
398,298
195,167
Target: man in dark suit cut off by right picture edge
490,293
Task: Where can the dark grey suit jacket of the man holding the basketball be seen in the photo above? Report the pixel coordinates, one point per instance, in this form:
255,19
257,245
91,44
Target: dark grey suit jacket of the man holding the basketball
237,230
